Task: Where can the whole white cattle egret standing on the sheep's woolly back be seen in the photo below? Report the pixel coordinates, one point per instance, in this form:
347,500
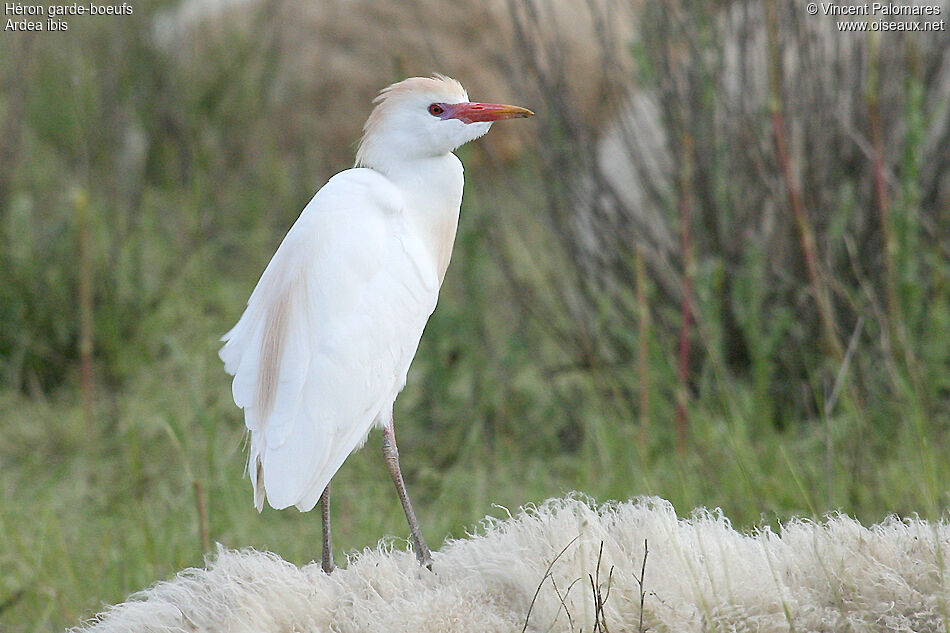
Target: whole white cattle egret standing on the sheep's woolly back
324,346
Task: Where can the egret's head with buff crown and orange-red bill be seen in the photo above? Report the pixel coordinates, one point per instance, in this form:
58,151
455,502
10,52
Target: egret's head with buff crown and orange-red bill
423,117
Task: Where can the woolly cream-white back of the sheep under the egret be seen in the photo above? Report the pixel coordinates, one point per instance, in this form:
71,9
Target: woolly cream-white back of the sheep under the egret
571,565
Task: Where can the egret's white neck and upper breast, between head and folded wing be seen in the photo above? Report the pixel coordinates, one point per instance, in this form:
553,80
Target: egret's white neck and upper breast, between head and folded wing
432,188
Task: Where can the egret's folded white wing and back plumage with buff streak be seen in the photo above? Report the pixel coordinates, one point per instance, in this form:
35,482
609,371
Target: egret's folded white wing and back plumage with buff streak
324,345
